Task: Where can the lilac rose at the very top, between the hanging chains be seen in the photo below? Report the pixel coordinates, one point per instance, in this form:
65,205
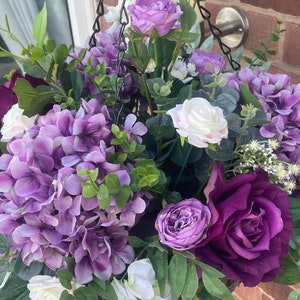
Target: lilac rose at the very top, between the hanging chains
147,15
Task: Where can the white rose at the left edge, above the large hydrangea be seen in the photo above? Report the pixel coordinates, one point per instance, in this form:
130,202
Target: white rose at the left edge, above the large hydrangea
15,123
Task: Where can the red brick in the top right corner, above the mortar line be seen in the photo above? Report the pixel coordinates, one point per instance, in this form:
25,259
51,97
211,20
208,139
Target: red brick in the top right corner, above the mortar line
289,7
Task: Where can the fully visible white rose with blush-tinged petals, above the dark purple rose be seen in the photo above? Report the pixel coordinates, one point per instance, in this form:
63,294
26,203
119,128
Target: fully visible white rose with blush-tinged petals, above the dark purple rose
200,122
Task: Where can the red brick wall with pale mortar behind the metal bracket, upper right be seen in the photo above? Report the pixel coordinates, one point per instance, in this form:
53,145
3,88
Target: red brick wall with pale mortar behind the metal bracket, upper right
262,16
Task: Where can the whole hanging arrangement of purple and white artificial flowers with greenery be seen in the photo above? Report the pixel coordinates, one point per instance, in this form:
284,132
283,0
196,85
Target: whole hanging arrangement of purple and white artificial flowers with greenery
163,175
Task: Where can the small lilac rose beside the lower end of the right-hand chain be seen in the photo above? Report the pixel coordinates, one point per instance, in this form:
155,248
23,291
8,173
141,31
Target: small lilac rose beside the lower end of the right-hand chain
206,62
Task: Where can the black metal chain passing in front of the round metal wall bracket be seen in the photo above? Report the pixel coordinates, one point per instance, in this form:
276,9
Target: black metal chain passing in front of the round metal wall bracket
216,32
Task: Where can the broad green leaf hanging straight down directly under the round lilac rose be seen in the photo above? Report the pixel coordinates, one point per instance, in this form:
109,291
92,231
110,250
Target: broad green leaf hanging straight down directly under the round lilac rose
177,273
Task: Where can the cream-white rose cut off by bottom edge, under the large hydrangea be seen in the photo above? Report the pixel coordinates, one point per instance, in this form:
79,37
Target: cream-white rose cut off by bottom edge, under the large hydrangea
44,287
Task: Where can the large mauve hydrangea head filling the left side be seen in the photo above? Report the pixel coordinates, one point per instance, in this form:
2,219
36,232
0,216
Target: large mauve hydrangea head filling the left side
43,212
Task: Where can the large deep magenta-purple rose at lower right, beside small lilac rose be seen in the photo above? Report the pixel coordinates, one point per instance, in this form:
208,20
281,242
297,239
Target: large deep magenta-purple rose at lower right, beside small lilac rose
251,226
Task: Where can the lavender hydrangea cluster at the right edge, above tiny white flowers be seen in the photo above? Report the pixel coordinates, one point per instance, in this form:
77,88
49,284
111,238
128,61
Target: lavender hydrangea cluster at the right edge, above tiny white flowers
281,101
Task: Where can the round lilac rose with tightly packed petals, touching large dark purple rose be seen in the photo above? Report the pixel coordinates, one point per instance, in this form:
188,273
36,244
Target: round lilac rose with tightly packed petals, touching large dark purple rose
183,225
